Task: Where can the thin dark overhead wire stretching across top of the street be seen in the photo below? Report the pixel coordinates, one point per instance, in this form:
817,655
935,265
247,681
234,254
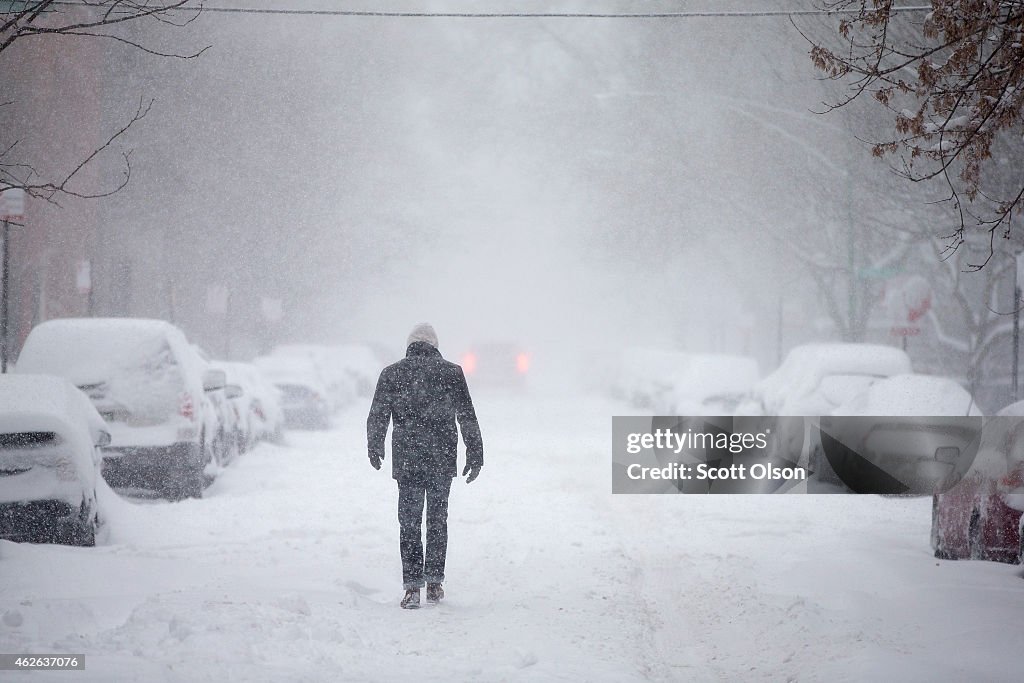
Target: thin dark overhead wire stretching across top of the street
524,15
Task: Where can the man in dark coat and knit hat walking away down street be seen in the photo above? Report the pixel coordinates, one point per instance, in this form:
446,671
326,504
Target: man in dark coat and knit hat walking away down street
424,395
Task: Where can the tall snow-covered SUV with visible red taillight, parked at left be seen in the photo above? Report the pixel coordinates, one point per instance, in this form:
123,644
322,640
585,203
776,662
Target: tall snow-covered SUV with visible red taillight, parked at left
151,388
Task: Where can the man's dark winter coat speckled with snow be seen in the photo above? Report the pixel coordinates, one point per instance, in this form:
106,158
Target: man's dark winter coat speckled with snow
424,395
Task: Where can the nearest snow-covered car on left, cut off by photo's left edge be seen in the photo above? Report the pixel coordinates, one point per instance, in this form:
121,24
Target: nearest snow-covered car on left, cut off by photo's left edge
51,437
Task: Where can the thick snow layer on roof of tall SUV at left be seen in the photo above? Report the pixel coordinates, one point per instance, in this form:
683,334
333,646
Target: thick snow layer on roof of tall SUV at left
88,350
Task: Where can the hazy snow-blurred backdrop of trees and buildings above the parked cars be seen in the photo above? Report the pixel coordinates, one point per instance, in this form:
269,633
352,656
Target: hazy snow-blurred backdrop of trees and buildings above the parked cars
575,187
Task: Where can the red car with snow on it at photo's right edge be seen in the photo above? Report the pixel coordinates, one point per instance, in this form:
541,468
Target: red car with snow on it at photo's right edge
983,517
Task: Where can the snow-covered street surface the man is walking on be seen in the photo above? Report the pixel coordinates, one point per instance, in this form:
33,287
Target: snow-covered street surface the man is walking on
288,569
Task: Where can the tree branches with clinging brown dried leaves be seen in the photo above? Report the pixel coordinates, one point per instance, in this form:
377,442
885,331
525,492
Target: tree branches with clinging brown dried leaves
955,86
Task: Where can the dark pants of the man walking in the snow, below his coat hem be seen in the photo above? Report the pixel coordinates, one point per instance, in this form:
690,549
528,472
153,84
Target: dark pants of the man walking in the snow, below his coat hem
418,569
